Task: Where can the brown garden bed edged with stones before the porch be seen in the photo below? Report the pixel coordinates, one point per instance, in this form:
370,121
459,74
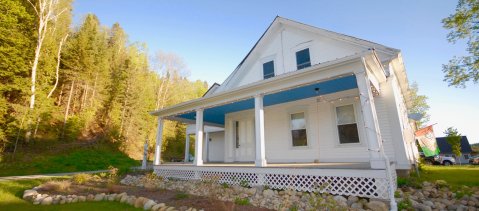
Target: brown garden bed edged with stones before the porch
169,197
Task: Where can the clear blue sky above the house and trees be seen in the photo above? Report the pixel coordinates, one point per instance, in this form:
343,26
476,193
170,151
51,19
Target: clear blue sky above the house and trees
213,37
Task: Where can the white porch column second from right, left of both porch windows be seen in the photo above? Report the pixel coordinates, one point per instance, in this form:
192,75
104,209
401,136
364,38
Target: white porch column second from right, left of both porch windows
259,131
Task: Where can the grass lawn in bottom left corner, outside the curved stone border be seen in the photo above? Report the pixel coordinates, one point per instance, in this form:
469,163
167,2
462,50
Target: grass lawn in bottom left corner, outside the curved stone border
11,199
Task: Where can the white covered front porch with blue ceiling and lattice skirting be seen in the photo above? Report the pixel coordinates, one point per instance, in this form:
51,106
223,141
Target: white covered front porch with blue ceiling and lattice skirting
349,79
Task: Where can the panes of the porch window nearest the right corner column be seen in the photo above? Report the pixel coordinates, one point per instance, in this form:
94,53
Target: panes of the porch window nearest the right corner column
347,125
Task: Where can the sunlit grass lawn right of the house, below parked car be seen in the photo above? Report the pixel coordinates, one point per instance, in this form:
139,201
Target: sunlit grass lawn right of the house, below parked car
456,175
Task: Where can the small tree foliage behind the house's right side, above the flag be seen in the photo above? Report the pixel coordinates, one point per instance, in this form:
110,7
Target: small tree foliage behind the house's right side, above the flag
418,104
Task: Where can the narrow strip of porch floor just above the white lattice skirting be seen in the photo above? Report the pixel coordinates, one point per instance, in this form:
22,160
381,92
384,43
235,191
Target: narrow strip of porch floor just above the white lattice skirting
330,165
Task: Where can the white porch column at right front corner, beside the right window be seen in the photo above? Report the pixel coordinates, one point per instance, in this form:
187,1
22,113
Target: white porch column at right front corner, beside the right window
370,119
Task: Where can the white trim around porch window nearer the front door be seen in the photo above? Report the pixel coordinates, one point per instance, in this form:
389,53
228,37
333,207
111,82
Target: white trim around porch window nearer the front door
295,110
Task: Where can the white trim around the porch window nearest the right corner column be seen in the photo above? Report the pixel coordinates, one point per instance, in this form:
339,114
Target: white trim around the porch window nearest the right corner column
338,144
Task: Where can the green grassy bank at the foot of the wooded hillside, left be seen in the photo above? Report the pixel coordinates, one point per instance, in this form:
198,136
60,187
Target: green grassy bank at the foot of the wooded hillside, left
87,159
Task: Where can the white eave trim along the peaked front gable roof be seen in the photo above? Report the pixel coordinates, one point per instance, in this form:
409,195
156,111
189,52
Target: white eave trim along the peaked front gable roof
278,21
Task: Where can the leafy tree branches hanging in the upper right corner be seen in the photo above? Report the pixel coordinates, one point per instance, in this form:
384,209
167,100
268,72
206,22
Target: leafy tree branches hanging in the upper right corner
463,25
